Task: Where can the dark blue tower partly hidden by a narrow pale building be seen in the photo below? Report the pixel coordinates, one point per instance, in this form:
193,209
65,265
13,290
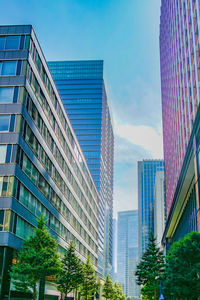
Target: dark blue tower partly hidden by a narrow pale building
146,183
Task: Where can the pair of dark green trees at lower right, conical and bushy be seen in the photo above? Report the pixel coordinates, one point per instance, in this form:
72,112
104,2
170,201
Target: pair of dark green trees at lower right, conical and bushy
176,276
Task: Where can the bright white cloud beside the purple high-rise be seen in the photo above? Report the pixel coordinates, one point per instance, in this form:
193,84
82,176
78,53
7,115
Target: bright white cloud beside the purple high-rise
144,136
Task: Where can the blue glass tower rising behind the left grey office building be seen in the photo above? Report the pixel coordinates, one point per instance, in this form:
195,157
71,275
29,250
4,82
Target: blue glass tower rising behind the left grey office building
82,89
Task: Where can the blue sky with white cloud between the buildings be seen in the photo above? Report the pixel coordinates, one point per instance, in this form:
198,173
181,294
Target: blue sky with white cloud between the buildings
125,34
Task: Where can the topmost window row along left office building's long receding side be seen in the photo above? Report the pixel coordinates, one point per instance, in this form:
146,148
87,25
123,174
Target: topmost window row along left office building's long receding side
64,122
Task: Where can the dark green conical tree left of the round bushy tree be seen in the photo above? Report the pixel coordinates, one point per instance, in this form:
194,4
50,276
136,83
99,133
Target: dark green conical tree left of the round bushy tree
150,270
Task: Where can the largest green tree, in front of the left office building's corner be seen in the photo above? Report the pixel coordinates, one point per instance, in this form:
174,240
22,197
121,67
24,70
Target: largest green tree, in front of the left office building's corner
37,259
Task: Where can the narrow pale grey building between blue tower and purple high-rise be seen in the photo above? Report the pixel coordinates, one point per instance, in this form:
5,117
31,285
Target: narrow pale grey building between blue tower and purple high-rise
159,207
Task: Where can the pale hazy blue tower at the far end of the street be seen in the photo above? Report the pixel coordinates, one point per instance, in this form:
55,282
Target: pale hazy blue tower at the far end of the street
127,251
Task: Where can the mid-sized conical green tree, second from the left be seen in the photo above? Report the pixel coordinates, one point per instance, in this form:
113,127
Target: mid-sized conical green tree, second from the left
71,275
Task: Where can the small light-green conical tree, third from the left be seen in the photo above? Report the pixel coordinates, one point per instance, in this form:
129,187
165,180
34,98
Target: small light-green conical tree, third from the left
89,286
